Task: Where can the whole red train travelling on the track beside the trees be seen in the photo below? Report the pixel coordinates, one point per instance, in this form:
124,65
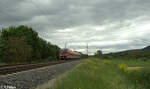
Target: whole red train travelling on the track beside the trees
68,54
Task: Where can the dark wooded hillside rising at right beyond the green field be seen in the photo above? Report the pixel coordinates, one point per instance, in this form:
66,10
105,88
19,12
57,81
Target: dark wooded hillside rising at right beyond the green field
141,54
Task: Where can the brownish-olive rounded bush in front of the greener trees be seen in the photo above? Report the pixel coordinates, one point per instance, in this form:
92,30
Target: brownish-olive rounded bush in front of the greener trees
17,51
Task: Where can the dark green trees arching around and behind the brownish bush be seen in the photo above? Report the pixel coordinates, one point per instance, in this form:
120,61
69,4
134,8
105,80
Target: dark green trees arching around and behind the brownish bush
42,50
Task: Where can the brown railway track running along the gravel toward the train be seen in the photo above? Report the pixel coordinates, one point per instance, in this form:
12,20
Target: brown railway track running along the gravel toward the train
9,69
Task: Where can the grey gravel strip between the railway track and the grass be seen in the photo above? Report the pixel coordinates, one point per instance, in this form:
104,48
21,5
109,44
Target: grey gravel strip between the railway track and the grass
33,78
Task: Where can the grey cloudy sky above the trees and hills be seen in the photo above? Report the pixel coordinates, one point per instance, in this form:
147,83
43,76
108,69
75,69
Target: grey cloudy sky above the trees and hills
109,25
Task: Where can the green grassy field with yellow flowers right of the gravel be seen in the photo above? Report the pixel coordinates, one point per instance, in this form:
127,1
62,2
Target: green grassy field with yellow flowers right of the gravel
104,74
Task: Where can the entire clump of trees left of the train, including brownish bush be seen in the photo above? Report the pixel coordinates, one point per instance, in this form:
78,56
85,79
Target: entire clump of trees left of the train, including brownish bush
22,44
